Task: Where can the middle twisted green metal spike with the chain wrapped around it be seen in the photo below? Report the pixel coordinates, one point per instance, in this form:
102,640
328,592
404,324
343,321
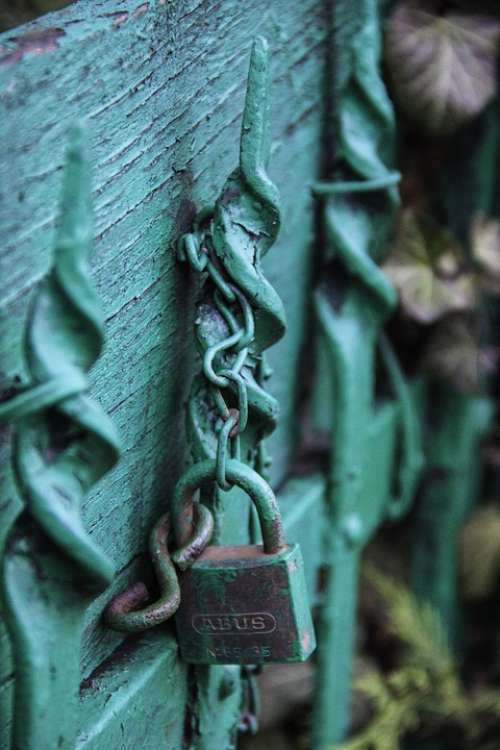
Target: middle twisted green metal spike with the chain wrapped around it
230,241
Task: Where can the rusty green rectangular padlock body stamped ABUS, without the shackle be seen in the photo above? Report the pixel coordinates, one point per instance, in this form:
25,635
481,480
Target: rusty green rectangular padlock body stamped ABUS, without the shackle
241,606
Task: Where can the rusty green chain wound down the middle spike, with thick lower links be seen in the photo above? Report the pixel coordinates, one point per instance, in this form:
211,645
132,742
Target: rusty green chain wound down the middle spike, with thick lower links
222,364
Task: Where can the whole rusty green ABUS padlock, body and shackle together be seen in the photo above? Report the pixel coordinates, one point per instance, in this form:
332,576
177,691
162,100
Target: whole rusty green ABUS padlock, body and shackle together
240,604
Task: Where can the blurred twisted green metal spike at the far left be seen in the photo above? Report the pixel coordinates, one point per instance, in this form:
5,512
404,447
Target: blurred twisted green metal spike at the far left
63,444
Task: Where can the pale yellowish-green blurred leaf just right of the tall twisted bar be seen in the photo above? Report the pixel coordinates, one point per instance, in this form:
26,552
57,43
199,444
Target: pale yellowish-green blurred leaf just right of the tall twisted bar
427,267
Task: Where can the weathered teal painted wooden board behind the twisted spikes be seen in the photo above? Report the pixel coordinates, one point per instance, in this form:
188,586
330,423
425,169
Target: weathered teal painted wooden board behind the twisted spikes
161,86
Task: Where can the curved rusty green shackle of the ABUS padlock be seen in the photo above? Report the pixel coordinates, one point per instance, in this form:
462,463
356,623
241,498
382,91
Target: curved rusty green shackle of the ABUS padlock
240,475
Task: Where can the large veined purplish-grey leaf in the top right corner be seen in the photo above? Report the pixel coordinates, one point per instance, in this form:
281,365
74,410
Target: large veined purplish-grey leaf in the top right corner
442,63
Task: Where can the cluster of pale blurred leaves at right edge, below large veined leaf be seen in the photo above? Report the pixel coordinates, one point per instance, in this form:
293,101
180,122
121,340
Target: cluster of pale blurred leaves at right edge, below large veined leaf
438,284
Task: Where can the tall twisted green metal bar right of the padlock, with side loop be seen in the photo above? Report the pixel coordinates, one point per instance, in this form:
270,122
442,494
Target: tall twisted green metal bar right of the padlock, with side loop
351,313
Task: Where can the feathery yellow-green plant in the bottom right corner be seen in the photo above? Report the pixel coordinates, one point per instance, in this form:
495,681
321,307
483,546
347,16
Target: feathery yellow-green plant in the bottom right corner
424,693
